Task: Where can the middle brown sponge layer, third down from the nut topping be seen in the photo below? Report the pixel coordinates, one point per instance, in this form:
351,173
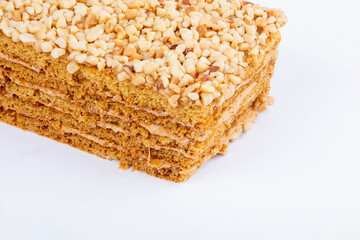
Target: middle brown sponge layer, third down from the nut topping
114,127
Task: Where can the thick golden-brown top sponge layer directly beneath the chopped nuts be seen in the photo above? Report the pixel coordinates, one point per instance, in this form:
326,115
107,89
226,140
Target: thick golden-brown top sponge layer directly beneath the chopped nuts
88,85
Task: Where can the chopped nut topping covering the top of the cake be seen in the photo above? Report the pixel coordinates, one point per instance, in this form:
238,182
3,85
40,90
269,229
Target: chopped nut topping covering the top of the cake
192,51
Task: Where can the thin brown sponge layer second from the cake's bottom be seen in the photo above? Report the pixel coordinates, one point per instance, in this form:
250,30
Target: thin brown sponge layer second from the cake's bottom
109,137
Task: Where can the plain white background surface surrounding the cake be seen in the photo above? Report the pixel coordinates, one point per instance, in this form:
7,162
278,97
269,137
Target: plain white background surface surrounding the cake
295,175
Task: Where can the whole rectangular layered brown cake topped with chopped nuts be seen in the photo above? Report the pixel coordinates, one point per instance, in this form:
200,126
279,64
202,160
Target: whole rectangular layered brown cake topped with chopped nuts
160,86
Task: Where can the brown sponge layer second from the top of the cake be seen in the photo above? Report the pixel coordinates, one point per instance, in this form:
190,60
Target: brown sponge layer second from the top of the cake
117,116
